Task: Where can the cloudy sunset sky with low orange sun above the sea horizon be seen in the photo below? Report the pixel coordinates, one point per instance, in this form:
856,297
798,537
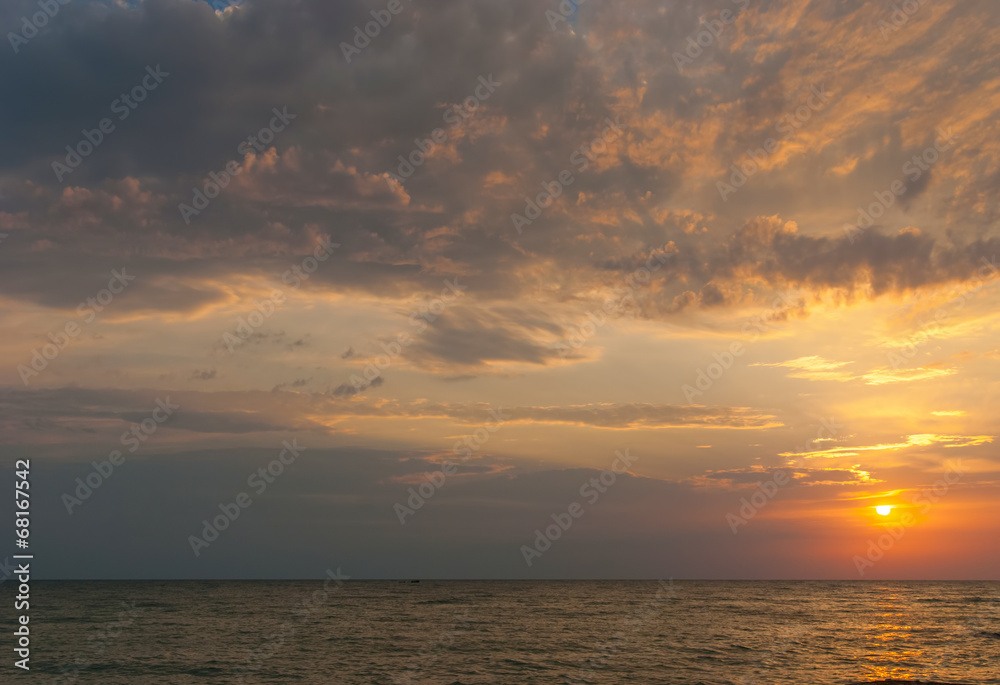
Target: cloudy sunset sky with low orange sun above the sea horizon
443,289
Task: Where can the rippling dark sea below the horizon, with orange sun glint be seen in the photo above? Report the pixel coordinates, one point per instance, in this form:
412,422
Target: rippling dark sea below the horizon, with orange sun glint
524,632
